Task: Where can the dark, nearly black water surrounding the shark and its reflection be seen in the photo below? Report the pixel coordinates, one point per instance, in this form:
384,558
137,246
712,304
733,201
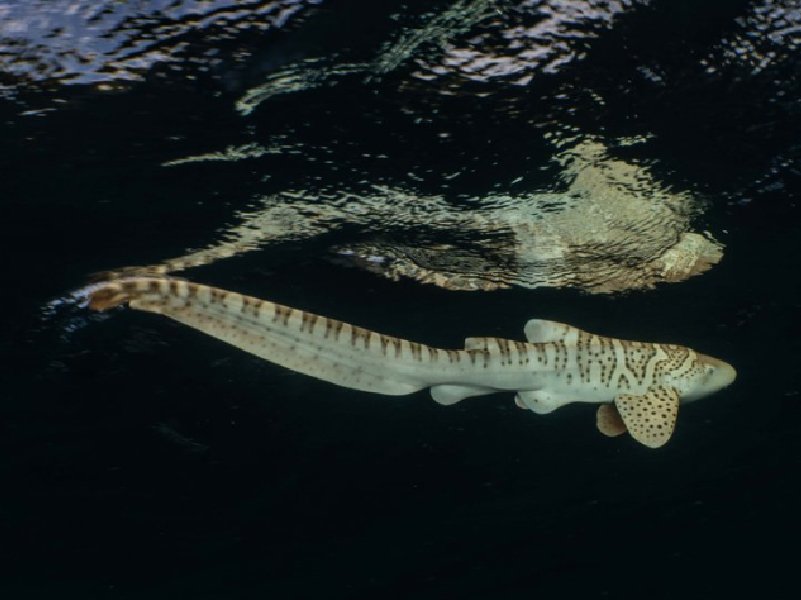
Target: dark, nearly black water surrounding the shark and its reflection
140,459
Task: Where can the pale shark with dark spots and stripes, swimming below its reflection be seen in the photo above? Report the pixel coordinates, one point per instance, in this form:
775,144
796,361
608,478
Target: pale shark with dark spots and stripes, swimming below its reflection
638,385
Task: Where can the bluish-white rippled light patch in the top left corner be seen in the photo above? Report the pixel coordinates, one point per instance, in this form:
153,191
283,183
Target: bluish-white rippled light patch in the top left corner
57,42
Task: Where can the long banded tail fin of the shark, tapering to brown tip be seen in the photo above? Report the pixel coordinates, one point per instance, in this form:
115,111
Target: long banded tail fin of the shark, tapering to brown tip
323,348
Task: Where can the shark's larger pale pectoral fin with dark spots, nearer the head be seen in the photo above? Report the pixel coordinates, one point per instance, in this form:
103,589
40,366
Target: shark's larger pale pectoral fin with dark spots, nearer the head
650,418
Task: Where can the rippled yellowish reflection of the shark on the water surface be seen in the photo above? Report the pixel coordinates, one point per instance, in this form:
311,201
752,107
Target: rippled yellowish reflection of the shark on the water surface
606,226
